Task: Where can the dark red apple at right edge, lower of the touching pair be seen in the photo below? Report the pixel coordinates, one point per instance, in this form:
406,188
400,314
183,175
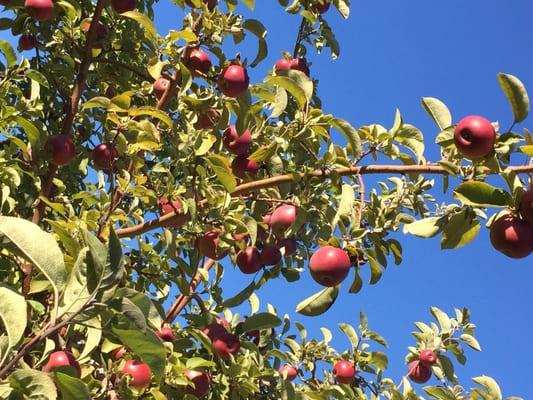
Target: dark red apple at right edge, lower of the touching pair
512,236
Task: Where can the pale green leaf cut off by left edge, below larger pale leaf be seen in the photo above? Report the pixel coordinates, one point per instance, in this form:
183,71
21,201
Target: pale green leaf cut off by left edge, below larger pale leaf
12,314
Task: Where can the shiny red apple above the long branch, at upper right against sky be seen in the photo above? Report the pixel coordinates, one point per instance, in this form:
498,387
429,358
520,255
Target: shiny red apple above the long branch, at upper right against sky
474,137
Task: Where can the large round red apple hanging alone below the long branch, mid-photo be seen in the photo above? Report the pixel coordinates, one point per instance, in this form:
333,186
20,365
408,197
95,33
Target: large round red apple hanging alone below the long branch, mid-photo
329,265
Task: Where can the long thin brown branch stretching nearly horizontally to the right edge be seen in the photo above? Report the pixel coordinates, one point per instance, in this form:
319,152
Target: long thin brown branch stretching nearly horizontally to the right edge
320,174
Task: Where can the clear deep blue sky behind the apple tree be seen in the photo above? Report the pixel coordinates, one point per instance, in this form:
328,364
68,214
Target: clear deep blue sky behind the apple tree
392,54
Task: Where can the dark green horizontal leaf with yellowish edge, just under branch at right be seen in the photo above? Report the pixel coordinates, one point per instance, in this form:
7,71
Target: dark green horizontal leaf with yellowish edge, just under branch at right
481,194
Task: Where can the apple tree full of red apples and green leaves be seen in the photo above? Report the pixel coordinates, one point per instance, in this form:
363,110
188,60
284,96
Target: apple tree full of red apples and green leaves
135,168
